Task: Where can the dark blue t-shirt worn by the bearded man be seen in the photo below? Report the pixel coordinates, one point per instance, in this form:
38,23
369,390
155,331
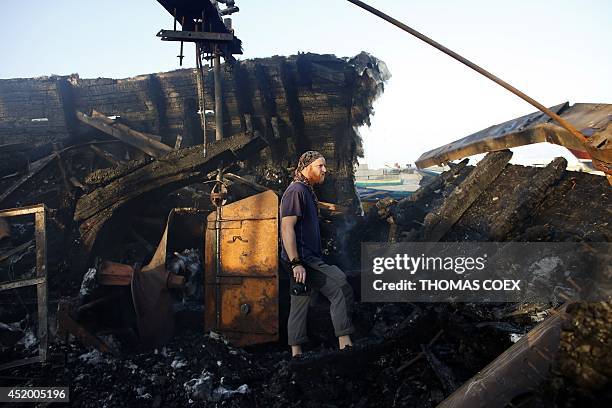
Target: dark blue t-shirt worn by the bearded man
300,201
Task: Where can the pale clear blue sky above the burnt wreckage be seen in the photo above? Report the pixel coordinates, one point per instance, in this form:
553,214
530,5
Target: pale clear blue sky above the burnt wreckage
554,51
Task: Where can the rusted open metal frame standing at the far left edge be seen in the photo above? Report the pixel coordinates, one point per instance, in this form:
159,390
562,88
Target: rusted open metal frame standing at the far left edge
40,237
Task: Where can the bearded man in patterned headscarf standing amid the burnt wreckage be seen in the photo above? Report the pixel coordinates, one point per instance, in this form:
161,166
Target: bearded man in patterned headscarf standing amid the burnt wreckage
301,257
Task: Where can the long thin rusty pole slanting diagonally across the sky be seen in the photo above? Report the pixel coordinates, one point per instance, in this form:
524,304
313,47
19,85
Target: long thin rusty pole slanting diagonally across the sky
565,124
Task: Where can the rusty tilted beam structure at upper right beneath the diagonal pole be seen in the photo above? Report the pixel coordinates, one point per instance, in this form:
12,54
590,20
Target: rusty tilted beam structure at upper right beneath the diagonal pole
593,120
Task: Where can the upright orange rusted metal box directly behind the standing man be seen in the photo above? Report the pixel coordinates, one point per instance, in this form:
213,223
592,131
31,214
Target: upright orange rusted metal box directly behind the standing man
248,278
